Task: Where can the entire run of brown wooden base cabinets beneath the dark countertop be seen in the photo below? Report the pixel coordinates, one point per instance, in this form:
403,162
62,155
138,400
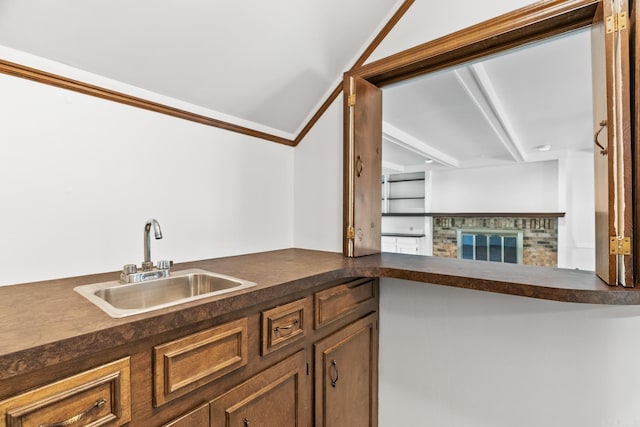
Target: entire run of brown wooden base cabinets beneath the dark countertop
303,359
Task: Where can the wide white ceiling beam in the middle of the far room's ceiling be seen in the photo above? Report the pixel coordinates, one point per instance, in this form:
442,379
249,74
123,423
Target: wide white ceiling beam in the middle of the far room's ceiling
477,84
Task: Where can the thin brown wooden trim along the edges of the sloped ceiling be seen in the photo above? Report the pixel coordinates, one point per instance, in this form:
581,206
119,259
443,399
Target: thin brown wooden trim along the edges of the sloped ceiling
40,76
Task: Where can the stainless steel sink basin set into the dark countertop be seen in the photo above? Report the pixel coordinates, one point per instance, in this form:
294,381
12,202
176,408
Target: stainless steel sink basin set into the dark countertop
120,300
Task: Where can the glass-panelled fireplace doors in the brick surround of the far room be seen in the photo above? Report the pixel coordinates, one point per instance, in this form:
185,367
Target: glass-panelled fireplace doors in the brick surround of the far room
490,245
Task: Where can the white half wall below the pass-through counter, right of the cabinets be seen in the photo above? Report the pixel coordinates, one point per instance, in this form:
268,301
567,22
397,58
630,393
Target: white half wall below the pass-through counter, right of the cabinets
461,358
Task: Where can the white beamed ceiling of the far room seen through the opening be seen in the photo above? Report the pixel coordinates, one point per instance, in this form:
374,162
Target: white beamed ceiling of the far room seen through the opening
495,111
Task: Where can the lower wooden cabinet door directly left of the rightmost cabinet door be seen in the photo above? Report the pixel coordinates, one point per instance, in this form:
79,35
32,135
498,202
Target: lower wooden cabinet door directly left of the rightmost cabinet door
276,397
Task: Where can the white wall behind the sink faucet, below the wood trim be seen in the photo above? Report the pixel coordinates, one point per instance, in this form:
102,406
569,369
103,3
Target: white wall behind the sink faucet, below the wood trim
79,177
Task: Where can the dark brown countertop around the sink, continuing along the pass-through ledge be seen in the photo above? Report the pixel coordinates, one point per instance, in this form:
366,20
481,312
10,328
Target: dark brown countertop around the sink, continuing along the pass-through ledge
45,323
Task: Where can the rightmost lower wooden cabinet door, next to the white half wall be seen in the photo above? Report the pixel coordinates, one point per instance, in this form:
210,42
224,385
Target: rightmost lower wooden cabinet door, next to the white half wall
346,371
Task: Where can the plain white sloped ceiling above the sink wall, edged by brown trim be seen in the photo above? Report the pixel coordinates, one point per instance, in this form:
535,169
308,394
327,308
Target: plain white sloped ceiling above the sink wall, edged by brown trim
271,63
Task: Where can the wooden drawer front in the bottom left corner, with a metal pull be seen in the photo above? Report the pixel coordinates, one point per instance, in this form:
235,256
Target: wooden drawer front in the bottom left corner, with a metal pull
98,397
